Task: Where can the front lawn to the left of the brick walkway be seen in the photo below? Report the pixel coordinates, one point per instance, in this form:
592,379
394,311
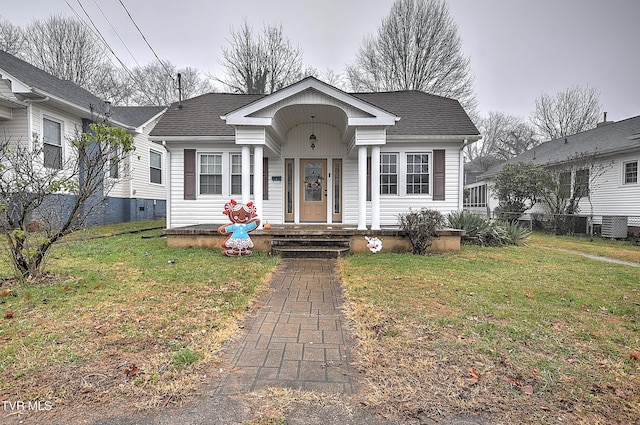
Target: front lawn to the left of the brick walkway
121,318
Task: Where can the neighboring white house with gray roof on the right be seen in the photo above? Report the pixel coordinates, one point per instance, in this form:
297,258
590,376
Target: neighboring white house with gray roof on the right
603,162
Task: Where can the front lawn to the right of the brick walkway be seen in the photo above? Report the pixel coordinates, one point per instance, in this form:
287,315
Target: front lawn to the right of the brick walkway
517,335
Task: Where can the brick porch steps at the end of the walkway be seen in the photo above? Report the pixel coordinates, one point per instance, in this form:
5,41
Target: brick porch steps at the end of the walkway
310,246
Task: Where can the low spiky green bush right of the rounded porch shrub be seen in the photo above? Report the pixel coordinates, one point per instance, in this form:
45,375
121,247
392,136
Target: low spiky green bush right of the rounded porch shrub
480,230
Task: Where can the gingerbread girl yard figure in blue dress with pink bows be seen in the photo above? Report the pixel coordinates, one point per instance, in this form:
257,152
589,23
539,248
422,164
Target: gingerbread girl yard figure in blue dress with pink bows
243,220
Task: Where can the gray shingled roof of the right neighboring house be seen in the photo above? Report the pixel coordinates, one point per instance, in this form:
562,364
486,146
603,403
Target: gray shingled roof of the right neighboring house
604,140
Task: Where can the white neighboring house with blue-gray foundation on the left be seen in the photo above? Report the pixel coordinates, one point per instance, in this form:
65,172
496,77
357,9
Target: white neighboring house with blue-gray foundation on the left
35,104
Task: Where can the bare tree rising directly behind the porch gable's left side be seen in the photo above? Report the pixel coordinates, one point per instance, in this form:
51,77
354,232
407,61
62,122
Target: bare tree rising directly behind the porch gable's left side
260,63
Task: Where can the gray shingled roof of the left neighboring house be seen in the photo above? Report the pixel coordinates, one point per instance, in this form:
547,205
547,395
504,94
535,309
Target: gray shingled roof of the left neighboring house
68,91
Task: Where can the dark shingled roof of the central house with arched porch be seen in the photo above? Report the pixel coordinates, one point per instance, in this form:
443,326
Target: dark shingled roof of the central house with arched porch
420,113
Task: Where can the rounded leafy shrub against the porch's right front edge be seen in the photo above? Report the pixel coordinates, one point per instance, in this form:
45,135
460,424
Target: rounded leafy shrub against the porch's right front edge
420,227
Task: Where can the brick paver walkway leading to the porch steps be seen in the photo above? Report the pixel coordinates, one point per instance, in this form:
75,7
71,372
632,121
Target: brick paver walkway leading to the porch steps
297,337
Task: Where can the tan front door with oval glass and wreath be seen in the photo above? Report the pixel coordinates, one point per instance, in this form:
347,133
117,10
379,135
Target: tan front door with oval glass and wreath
313,190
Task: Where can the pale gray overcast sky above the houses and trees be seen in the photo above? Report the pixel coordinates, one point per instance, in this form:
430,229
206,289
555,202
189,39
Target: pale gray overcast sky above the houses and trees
518,48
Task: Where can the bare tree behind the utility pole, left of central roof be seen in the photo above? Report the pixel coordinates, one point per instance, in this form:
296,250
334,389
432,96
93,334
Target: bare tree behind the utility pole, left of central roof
157,84
